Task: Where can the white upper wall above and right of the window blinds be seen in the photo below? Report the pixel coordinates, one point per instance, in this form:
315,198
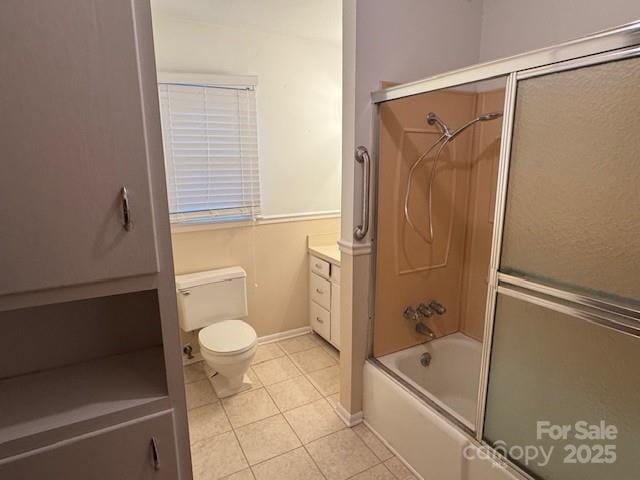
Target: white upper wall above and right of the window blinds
299,100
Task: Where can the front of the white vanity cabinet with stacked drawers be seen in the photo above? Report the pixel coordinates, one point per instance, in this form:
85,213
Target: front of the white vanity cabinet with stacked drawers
324,299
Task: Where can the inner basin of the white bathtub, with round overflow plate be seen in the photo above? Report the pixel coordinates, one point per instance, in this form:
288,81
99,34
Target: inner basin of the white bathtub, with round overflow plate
451,379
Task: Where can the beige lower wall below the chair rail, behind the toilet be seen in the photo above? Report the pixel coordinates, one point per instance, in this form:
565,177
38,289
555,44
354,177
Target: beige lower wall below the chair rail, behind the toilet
274,256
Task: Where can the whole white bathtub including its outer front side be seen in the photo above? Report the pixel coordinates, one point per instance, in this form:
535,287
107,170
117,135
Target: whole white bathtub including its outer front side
426,414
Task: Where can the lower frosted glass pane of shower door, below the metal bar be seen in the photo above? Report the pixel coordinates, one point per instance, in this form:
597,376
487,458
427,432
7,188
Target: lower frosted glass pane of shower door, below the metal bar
548,366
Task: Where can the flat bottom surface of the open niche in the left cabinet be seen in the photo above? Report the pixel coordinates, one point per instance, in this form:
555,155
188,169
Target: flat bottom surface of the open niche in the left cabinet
38,403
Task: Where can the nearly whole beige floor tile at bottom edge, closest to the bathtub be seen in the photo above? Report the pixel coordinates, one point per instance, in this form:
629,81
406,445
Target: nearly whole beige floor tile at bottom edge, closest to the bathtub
341,455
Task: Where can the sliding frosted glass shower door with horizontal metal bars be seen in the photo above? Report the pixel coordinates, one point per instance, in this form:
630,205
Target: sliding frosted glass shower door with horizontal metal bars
564,374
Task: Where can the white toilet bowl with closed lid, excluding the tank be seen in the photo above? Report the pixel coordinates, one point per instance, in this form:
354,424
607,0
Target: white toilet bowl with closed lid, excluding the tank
228,347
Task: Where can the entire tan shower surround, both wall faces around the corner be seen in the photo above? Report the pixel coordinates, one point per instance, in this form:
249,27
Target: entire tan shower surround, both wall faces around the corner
453,269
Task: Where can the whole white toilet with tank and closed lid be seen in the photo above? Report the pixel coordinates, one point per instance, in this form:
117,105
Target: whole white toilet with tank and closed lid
215,301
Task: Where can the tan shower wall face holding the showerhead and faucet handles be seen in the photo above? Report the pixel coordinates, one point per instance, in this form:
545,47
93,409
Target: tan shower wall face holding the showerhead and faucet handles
408,269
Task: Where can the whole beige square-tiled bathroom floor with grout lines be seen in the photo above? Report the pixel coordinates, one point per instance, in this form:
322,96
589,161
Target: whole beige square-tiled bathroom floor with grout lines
285,427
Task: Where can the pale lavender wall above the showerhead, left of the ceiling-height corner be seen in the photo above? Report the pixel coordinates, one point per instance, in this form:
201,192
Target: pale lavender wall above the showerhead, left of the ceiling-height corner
404,40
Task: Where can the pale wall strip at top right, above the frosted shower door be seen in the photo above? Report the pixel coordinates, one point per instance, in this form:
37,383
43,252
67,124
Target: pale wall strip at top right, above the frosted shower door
516,26
